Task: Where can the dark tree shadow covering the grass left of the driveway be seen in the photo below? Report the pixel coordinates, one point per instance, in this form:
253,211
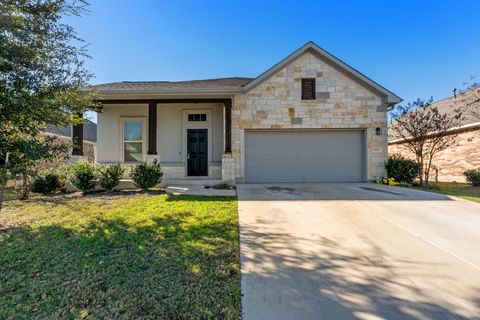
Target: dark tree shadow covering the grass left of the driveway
161,269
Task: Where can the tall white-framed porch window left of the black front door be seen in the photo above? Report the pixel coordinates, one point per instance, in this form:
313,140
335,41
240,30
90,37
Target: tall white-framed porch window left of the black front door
132,140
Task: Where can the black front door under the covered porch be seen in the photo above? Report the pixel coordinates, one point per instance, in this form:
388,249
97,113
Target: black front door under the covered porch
197,152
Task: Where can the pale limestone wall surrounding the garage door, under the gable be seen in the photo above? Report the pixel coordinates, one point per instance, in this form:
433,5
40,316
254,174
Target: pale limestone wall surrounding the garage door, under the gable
340,103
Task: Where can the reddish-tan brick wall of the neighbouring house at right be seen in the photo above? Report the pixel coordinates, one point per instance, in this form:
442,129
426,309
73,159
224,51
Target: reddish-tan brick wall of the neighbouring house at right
452,162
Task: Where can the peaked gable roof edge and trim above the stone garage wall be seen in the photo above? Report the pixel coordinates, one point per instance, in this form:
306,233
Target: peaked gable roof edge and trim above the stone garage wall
336,63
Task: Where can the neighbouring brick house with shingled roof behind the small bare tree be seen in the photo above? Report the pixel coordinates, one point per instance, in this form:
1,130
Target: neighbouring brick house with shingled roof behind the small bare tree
450,163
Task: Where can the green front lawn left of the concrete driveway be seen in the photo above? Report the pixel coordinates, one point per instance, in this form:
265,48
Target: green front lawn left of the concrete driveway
135,256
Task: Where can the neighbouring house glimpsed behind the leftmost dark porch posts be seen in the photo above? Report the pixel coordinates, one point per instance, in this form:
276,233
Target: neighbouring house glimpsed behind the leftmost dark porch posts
89,137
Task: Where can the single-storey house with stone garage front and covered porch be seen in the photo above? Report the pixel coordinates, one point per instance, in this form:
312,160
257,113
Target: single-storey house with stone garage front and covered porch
309,118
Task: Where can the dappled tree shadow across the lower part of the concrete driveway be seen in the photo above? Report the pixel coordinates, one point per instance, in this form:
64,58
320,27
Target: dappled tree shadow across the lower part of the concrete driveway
327,281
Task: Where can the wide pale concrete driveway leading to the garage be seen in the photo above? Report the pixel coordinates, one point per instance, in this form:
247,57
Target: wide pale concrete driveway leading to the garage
357,251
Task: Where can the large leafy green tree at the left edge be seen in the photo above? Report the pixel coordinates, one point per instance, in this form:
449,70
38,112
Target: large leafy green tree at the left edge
42,76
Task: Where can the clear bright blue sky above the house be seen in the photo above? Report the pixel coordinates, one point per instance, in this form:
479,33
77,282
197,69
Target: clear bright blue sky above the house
417,49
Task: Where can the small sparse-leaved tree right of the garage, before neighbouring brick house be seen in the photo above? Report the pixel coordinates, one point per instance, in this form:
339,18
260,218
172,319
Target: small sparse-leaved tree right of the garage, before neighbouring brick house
424,131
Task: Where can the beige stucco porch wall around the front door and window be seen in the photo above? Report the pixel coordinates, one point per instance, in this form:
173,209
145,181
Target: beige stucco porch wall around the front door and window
171,130
